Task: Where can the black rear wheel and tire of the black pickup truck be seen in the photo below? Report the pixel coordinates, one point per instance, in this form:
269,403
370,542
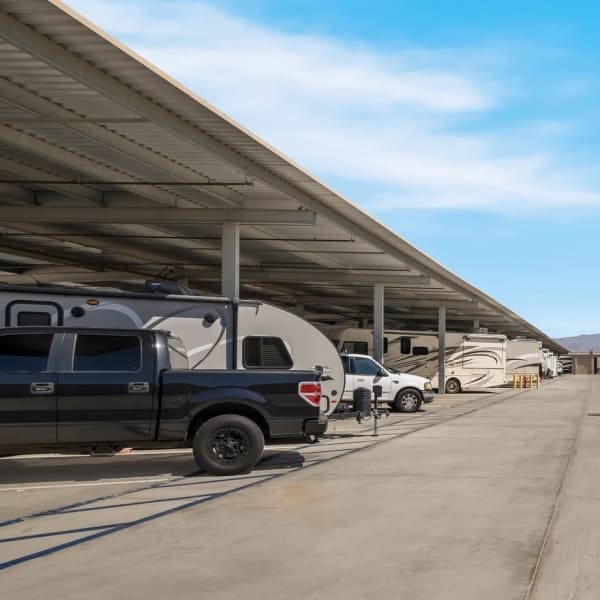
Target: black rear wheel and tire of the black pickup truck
228,445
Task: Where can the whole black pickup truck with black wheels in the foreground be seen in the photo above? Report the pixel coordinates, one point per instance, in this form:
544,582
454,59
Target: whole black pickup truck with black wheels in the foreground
100,390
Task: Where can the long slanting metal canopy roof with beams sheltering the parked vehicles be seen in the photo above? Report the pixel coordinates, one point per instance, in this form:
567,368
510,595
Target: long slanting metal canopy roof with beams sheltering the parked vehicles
112,172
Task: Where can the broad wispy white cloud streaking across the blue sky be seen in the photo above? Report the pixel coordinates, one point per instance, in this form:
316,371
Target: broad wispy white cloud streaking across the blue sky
389,124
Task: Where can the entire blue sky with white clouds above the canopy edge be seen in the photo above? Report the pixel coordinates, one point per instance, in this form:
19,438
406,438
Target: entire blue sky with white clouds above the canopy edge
470,128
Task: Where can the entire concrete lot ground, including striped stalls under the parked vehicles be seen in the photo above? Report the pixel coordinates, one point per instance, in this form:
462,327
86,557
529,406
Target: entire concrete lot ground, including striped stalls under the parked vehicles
477,496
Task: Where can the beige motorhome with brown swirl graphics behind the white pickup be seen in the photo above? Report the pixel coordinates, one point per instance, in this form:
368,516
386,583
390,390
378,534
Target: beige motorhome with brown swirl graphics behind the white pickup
472,359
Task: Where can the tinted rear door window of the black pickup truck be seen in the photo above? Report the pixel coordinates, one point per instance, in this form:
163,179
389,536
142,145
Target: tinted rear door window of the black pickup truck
107,353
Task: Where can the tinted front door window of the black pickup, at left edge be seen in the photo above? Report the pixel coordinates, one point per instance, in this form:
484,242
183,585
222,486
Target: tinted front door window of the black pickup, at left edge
24,353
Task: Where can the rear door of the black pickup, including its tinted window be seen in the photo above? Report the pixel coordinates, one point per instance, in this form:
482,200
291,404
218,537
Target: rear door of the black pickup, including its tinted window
106,388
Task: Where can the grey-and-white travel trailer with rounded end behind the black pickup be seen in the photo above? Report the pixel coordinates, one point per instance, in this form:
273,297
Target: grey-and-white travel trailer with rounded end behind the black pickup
266,337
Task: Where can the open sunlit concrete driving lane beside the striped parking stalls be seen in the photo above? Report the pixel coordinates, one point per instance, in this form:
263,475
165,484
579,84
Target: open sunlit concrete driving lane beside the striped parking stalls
460,510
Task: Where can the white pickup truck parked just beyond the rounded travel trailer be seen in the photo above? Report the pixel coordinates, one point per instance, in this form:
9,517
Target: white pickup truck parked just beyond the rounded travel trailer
402,391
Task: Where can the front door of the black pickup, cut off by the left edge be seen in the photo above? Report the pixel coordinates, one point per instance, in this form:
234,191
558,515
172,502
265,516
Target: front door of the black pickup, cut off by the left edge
27,389
